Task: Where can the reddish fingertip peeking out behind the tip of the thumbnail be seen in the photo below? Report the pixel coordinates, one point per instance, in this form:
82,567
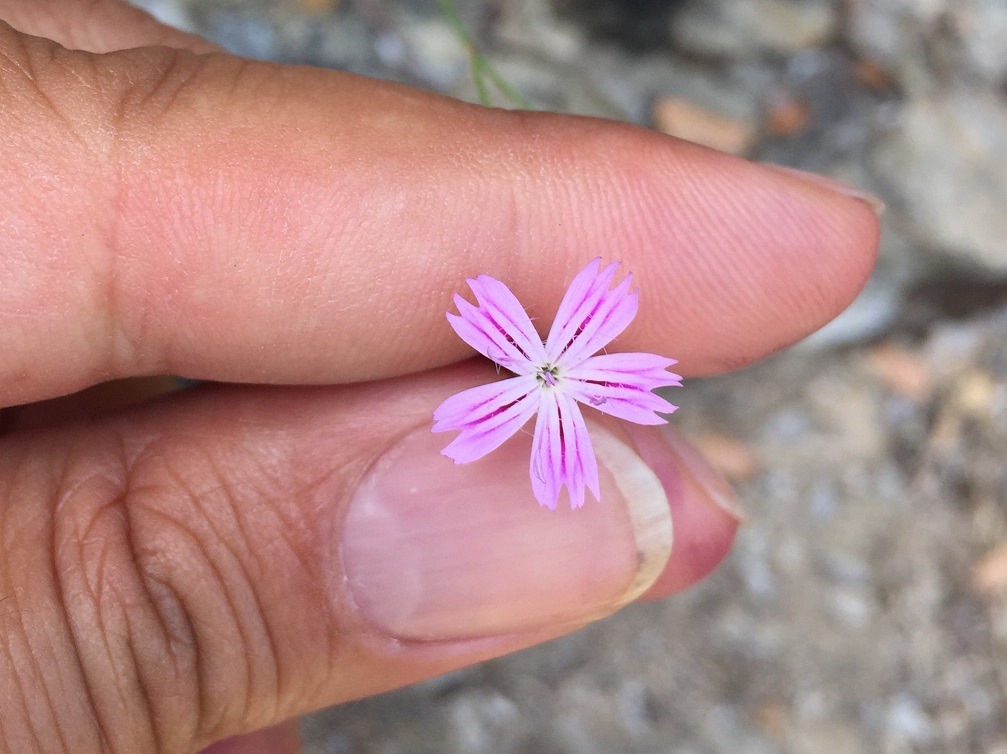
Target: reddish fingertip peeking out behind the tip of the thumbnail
705,511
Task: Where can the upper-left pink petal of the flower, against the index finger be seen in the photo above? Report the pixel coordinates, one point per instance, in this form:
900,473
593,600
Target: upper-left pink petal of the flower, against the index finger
499,328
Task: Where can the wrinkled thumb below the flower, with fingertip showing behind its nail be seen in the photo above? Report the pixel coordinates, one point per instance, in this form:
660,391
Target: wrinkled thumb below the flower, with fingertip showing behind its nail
235,557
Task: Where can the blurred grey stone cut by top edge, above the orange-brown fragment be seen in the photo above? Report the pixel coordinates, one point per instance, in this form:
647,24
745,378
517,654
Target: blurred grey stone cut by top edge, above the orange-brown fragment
743,29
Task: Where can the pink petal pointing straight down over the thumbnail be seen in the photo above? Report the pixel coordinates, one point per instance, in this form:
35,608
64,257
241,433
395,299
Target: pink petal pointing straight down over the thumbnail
562,453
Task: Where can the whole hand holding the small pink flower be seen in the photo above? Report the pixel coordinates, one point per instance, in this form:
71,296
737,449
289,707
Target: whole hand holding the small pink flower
222,560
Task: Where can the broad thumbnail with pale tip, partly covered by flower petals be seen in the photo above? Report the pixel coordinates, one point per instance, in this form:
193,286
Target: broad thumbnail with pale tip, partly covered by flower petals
435,551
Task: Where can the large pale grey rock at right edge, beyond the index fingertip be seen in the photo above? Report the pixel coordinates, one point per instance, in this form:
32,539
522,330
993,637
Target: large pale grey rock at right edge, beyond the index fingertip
944,161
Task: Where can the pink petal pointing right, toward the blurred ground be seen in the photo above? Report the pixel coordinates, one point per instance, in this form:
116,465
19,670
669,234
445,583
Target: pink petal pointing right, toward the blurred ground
621,385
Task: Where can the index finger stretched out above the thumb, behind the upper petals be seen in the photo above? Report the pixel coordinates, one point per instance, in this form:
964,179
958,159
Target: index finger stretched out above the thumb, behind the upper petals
225,220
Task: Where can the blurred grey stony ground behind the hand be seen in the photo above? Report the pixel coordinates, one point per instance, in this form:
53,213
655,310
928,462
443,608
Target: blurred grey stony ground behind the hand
865,609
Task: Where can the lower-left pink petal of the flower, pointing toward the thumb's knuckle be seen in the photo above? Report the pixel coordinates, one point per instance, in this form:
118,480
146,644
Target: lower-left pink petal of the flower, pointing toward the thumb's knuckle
488,416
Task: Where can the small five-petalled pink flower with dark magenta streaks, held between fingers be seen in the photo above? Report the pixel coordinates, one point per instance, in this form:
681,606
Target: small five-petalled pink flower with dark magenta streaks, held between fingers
552,378
